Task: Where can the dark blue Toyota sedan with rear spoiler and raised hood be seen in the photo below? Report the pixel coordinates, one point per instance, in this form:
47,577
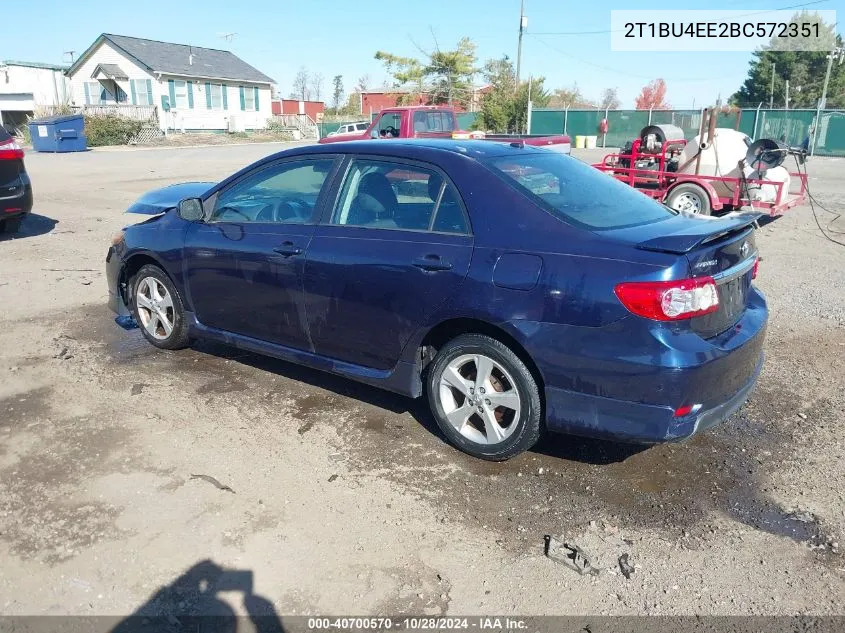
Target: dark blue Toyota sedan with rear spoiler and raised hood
517,289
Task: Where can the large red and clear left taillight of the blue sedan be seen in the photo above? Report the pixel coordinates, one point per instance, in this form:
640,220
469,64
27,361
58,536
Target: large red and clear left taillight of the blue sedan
670,300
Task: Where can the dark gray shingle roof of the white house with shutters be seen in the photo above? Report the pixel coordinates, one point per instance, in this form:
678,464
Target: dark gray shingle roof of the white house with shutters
174,59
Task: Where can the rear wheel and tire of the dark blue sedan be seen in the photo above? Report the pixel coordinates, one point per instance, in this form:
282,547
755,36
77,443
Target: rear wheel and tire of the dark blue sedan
466,411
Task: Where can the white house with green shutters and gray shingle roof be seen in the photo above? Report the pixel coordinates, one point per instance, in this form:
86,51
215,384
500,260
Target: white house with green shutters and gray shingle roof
194,89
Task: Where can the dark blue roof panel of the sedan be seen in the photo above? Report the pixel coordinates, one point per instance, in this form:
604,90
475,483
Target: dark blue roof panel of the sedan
421,148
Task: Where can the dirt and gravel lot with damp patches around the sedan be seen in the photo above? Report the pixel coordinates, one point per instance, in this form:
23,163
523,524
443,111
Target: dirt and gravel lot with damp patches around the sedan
346,500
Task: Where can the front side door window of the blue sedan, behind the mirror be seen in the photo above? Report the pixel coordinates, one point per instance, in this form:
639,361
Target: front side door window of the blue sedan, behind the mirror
285,193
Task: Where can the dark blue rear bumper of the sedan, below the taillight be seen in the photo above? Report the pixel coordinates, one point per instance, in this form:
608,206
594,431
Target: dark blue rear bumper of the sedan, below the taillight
625,381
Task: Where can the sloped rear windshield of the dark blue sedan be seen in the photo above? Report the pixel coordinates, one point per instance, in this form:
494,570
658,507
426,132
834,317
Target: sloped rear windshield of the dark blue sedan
579,193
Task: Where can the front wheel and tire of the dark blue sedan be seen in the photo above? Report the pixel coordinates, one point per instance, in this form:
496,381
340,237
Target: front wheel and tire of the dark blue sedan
160,306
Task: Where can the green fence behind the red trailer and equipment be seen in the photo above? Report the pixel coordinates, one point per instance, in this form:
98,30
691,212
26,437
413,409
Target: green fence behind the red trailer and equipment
791,126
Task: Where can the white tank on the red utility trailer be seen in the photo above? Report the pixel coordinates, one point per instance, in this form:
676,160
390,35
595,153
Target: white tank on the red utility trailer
720,158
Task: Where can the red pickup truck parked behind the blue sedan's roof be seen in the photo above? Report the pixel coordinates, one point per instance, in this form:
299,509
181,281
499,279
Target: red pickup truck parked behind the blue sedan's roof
439,122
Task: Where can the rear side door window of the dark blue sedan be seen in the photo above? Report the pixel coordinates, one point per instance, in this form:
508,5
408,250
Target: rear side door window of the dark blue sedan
386,195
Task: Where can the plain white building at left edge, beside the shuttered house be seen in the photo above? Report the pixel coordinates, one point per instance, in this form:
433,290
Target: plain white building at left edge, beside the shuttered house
27,86
